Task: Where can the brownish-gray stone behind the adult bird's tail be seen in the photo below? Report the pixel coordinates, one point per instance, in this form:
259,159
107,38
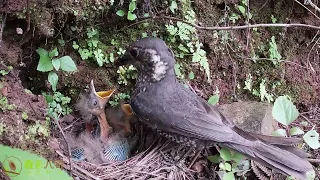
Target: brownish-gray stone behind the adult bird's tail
251,116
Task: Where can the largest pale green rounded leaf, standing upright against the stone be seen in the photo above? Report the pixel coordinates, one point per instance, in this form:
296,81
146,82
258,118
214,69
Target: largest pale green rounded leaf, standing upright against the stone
284,111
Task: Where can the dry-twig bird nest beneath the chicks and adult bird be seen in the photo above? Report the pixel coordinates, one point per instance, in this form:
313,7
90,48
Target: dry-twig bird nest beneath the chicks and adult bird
157,161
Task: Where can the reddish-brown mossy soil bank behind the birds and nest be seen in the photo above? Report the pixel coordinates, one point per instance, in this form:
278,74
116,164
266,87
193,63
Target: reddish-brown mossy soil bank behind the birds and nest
298,74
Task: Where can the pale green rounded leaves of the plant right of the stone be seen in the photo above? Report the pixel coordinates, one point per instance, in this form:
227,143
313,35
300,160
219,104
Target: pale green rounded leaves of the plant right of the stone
285,112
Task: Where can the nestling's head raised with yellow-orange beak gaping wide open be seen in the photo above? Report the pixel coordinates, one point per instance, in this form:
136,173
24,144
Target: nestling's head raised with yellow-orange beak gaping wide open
94,102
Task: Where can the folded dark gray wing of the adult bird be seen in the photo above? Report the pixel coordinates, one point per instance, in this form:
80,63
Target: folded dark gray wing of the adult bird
178,111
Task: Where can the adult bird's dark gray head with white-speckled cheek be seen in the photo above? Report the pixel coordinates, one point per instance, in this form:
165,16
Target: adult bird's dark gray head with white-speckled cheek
151,56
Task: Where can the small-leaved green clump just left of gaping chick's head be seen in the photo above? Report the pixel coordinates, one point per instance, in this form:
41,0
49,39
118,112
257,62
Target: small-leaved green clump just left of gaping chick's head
57,104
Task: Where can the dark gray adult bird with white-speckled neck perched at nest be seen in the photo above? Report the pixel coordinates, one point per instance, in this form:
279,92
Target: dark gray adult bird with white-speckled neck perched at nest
165,105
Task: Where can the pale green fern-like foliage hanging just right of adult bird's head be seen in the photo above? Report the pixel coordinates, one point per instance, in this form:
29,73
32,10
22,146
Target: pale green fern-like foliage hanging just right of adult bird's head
184,35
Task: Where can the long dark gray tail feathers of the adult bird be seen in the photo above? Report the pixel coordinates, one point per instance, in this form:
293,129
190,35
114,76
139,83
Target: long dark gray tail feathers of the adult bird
281,157
